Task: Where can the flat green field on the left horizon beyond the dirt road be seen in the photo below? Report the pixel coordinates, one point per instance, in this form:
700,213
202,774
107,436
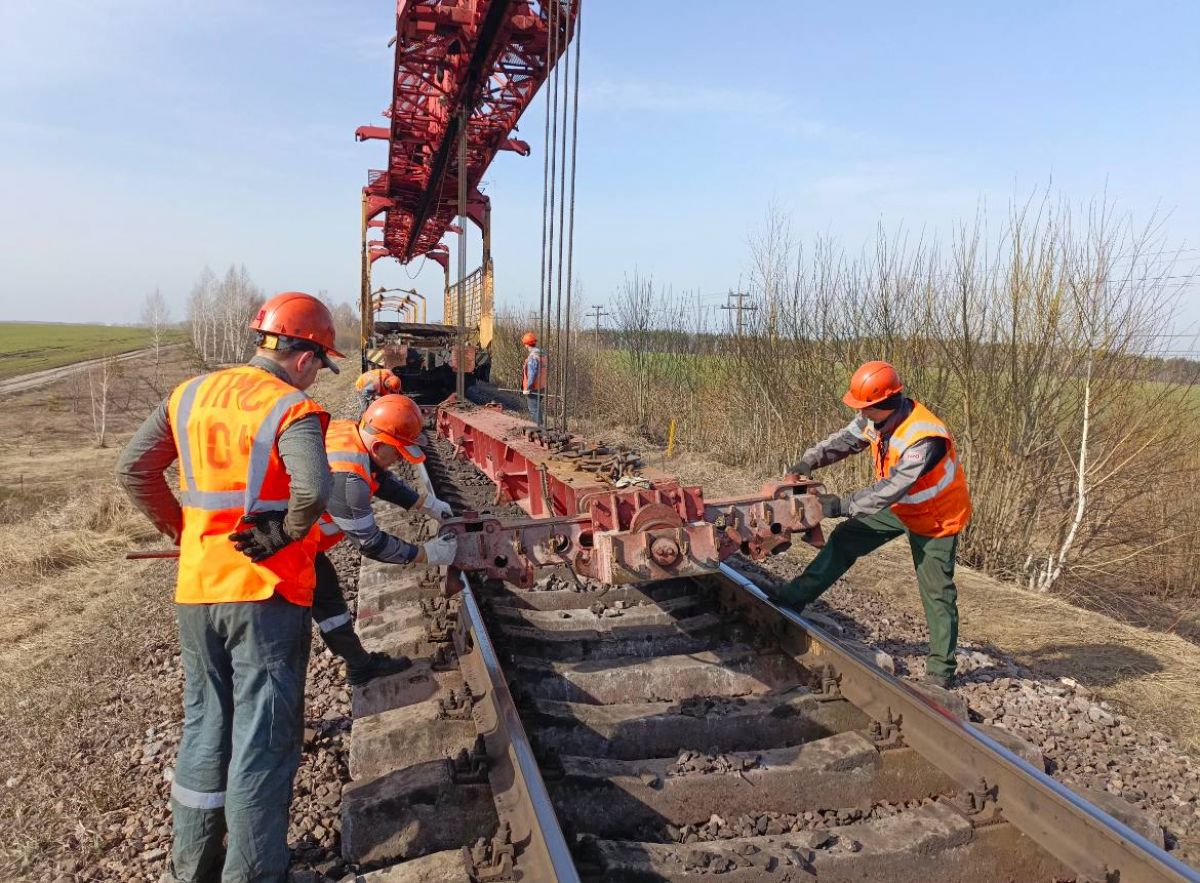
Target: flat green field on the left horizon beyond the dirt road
35,346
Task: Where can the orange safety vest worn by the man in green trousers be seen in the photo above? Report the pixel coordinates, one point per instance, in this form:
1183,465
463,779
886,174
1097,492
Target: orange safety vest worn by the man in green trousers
939,504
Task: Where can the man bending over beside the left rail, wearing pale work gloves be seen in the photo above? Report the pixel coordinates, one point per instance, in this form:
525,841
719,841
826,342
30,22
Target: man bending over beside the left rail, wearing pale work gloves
361,455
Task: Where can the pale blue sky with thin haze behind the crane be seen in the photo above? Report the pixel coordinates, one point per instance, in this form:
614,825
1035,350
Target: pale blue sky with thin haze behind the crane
142,141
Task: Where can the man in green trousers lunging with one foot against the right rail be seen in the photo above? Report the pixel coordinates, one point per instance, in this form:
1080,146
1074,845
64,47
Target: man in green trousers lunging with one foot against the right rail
920,492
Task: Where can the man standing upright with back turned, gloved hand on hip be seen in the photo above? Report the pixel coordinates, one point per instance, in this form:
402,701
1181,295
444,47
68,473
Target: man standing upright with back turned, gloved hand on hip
254,482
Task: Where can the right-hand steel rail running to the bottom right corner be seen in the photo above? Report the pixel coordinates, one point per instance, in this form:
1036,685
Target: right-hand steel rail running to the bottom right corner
1077,833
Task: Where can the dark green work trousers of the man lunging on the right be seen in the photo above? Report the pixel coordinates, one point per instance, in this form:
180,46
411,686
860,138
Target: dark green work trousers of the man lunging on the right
932,556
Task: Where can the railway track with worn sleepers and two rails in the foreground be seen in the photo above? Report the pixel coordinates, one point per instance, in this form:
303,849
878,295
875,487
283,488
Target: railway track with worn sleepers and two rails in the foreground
680,730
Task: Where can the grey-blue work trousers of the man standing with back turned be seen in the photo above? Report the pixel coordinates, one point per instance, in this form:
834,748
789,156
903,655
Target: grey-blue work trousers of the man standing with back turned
244,666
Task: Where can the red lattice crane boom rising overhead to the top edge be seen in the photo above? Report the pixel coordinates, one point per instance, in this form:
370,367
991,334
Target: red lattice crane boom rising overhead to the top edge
484,58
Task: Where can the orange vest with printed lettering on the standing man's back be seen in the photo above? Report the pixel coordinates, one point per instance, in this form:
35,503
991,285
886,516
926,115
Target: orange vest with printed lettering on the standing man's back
226,427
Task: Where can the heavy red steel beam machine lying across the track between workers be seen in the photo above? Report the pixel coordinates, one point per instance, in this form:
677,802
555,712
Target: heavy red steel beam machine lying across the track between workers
603,513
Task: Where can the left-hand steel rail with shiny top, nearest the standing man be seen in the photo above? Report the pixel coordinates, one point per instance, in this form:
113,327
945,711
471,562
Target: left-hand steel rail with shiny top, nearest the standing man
521,796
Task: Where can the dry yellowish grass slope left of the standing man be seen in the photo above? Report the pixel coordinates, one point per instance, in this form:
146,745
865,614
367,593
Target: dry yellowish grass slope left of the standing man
88,641
